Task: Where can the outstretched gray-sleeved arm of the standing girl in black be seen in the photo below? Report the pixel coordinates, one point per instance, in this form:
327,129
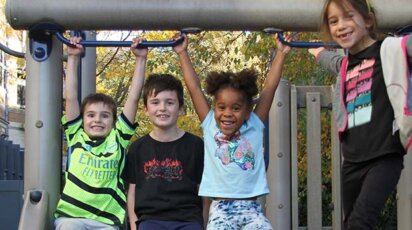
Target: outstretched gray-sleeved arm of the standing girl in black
329,60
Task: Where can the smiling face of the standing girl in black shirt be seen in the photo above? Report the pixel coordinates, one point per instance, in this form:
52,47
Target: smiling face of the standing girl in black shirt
348,28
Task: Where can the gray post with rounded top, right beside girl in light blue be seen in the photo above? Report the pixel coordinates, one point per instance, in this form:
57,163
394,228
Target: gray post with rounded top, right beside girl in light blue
278,205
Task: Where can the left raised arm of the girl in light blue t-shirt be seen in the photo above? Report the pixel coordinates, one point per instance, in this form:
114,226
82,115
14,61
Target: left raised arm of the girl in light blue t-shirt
192,81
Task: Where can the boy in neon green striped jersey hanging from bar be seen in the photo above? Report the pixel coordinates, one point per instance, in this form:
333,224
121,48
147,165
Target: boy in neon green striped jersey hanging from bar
93,196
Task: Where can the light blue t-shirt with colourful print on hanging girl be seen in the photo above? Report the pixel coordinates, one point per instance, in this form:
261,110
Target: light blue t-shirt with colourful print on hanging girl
233,168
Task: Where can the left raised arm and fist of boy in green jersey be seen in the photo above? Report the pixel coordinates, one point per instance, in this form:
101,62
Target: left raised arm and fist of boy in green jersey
72,104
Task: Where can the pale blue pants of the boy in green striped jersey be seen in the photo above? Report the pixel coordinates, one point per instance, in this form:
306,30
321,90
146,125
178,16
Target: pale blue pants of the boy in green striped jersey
65,223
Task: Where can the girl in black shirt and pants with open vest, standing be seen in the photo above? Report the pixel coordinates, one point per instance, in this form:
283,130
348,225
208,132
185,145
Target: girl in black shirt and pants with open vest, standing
372,150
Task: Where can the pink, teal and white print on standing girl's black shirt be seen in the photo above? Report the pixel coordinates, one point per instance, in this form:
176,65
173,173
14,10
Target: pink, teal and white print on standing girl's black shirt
358,93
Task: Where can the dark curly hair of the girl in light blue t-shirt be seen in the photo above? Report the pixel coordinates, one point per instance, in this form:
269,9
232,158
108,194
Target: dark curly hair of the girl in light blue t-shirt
244,81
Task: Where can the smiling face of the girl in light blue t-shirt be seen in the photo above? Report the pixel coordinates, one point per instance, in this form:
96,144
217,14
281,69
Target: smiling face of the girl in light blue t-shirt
231,110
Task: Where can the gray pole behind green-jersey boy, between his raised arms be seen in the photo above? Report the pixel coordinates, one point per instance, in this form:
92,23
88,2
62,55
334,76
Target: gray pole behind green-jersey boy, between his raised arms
88,73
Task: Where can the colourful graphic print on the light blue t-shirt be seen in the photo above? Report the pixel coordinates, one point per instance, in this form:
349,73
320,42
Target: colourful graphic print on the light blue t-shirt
234,149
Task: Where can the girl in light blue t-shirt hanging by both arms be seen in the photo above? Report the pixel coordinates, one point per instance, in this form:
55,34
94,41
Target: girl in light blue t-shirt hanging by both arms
234,173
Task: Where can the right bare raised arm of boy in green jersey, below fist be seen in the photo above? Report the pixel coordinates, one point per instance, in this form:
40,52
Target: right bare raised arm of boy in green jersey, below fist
135,88
